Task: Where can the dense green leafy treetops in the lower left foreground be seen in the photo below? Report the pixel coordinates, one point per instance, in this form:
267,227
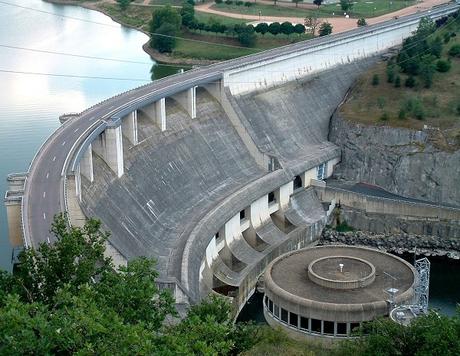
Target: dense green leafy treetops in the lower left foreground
68,298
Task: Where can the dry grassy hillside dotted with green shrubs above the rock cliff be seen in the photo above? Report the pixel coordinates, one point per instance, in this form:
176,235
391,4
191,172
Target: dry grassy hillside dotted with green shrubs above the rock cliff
374,100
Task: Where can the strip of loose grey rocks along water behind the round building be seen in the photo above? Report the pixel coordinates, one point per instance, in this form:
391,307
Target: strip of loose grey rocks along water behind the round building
398,244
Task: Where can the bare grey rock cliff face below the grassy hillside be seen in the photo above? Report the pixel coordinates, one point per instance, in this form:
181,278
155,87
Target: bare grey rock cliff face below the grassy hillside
418,164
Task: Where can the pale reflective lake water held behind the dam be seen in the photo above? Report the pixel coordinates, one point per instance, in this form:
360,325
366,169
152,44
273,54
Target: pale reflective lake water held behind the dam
30,105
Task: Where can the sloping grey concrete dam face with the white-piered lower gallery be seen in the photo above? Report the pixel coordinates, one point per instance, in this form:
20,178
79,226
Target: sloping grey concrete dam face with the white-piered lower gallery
194,198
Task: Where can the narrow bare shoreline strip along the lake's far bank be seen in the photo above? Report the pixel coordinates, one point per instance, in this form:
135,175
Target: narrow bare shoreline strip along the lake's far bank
156,56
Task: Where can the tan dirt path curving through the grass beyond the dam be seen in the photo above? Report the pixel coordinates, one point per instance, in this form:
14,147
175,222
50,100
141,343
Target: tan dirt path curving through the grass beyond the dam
339,24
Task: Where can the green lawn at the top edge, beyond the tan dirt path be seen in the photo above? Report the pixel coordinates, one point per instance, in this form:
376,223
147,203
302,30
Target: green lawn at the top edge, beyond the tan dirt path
361,8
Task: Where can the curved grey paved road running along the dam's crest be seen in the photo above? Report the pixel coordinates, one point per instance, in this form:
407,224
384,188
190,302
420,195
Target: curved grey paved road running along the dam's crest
43,195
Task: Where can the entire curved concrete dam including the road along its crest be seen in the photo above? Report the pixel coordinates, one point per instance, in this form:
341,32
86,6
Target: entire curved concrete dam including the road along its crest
211,172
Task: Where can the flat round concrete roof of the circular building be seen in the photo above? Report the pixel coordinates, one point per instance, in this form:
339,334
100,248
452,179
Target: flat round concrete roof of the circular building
343,279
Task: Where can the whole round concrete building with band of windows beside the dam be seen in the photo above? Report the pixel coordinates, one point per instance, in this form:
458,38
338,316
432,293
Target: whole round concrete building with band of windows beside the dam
327,291
